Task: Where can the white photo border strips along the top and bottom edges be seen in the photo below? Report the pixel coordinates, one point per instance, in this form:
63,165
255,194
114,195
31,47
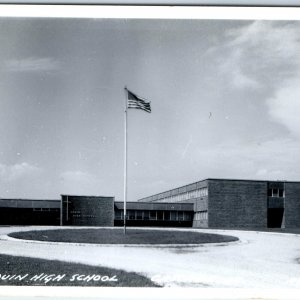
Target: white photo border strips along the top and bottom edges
146,12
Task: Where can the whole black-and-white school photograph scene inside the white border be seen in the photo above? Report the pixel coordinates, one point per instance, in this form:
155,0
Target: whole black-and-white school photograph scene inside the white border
150,152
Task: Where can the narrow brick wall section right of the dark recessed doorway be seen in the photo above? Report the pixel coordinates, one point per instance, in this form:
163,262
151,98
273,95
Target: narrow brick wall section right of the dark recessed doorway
292,204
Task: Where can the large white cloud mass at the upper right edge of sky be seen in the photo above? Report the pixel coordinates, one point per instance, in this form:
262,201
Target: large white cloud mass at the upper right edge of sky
268,52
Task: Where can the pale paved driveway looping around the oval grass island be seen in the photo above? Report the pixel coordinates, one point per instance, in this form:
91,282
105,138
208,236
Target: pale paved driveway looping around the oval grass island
258,260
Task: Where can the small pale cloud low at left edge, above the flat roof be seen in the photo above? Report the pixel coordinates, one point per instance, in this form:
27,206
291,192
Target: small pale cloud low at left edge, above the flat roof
9,173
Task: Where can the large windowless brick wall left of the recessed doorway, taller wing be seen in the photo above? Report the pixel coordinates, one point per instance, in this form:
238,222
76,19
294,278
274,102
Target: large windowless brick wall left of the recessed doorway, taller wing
237,203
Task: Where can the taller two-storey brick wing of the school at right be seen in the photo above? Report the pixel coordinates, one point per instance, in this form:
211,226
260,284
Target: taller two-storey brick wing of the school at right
226,203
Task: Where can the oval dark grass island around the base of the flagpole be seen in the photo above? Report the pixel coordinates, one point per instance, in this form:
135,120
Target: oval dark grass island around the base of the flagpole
116,236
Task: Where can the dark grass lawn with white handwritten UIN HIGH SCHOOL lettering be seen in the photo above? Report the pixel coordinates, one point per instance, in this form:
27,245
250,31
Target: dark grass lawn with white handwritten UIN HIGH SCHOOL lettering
40,272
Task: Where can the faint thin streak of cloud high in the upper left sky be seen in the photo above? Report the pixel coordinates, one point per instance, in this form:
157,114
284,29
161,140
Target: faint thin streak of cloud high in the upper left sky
32,64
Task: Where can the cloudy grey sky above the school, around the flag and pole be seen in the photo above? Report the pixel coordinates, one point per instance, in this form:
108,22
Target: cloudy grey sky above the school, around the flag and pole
225,100
